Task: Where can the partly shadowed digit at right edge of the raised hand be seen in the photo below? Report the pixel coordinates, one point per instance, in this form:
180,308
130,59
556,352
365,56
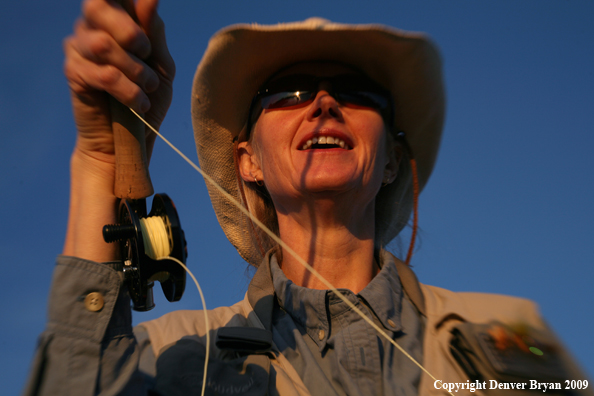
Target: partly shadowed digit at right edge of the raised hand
154,27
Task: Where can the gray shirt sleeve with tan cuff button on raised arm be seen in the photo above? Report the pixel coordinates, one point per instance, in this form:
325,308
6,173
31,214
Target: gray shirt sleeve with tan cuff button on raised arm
88,346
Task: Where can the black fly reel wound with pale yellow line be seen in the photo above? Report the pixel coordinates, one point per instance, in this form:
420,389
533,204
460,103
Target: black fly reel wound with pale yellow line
140,270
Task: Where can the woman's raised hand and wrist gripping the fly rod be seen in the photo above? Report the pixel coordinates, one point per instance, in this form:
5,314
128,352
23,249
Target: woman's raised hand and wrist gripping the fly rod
111,53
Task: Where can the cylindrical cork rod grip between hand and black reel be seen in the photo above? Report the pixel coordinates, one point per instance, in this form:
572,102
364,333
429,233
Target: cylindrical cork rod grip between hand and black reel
132,179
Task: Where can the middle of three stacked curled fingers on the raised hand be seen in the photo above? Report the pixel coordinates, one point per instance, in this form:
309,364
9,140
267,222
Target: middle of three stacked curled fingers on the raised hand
99,47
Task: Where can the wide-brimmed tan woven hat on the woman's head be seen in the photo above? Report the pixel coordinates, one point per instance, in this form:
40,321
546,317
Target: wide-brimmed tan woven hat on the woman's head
240,58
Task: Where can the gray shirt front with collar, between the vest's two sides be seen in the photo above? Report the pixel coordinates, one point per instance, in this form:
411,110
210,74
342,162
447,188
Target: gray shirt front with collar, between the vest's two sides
336,352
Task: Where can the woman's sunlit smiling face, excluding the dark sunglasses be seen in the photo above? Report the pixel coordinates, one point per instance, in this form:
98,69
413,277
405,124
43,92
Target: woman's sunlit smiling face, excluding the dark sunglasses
282,151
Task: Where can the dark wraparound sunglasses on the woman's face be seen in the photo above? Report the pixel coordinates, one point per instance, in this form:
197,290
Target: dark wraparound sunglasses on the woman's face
301,89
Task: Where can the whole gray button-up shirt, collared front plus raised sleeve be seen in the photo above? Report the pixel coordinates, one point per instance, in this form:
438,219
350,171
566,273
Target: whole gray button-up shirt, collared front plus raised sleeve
90,352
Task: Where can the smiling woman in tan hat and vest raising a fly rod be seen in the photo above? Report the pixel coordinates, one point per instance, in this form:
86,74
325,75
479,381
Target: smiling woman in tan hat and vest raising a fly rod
306,137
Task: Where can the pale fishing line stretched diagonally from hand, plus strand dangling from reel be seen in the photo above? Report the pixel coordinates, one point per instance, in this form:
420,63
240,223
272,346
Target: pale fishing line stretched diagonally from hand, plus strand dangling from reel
287,248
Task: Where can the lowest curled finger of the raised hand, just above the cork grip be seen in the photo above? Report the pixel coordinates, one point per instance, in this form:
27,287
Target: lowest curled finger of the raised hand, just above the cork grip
84,75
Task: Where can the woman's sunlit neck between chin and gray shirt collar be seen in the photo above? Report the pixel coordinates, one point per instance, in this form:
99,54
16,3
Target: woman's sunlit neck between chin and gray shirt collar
336,241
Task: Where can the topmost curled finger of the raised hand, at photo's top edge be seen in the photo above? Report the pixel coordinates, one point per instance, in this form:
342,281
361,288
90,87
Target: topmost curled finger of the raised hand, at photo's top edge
115,20
